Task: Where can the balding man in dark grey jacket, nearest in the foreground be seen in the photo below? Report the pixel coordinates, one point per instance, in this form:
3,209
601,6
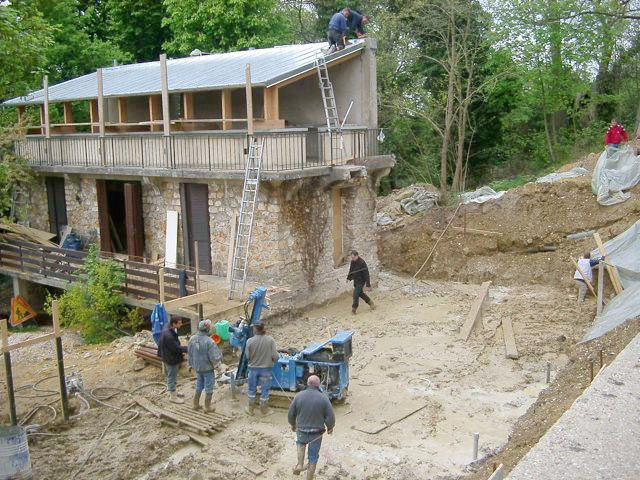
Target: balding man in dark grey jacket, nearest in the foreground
310,414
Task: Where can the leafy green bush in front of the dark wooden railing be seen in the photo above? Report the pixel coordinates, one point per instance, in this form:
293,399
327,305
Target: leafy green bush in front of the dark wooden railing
94,305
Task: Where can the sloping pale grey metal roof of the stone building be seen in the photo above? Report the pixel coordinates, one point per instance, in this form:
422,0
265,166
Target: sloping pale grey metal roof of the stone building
269,66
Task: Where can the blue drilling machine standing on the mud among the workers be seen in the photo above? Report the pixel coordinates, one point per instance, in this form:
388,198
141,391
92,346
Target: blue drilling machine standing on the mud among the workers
328,360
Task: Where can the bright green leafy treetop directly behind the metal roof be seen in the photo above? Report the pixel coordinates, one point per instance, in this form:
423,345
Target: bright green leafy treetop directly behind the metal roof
224,25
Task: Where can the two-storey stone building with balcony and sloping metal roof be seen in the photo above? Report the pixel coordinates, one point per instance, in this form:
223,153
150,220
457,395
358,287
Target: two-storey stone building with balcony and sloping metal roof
172,136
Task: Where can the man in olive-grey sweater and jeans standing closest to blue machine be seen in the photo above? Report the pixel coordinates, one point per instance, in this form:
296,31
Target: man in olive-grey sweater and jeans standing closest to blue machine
261,355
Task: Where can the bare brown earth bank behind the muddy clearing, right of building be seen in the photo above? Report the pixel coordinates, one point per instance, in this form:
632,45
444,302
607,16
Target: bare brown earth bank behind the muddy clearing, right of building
525,239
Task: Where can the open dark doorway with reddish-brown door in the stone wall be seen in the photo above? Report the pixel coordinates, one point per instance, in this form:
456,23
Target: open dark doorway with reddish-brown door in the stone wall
120,216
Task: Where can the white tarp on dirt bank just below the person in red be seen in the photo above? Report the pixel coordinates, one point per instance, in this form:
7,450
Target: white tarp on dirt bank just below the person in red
616,170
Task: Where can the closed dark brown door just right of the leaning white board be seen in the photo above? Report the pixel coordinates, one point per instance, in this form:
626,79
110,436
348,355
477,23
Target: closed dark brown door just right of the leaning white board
195,202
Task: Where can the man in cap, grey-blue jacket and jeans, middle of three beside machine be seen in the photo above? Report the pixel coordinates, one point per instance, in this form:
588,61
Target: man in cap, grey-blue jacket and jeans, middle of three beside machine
203,356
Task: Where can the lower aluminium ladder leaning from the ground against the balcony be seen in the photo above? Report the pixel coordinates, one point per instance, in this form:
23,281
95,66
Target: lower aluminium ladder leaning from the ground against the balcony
245,222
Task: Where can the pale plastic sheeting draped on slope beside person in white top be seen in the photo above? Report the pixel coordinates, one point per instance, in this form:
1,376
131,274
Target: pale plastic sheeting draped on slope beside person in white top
624,252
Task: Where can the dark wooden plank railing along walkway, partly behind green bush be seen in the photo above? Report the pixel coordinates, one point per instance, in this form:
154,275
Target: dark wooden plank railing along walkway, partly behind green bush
141,280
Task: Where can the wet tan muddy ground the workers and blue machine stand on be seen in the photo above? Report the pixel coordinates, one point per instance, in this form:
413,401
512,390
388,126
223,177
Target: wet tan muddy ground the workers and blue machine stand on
406,356
